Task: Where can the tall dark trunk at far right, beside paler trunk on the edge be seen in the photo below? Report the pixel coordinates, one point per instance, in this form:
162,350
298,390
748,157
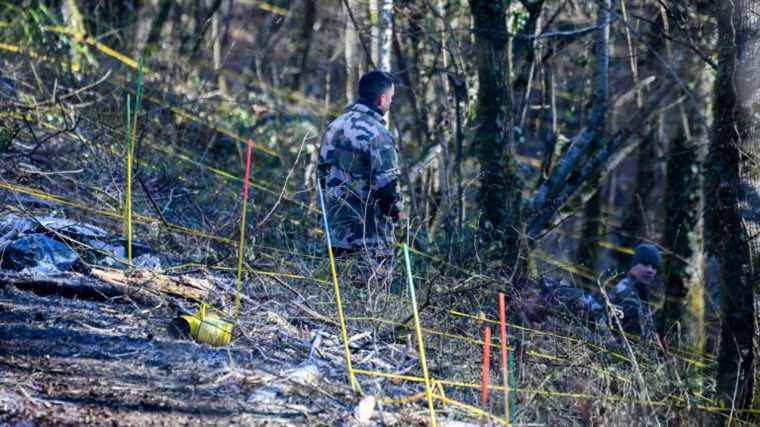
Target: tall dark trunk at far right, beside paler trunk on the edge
726,238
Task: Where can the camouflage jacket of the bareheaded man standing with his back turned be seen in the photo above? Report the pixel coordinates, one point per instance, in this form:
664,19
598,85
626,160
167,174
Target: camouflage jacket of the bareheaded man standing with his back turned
358,170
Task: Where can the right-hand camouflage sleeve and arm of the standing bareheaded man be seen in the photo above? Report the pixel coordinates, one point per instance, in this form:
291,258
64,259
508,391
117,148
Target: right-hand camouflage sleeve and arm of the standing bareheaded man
384,176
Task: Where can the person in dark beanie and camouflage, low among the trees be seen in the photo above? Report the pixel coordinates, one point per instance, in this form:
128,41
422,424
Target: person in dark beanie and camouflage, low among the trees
632,295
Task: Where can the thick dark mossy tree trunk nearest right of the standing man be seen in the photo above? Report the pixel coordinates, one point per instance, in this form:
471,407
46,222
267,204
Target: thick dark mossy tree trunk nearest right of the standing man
499,195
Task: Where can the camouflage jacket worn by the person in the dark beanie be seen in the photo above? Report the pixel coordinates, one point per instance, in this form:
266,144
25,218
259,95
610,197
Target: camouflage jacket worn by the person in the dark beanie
632,297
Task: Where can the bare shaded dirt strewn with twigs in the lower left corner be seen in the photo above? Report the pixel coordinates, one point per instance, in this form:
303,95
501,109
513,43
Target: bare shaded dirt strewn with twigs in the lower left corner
68,361
